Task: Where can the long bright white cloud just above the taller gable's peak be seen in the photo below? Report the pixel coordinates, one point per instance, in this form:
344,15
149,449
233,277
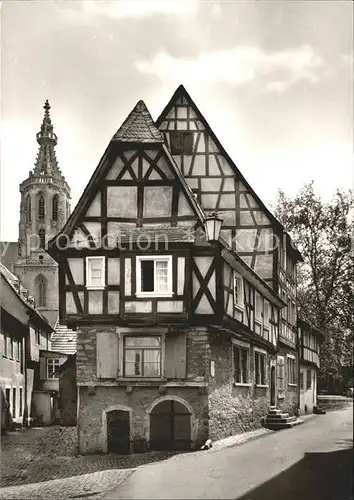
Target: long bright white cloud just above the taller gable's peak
237,66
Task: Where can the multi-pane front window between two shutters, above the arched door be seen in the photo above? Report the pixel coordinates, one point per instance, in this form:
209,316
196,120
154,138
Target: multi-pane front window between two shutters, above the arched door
142,356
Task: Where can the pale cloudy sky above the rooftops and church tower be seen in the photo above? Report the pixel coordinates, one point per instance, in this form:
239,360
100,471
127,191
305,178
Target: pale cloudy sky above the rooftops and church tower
273,79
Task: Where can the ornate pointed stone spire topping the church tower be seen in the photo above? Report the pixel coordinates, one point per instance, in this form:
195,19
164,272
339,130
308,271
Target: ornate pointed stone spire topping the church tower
46,162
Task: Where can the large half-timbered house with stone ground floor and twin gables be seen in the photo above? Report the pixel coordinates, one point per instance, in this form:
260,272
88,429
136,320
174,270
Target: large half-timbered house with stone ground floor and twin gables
177,328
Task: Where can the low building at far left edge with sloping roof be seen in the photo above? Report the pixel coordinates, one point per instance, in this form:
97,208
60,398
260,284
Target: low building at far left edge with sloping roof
22,328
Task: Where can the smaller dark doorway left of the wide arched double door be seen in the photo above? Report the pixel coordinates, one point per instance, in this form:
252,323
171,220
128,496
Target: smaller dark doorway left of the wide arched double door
118,431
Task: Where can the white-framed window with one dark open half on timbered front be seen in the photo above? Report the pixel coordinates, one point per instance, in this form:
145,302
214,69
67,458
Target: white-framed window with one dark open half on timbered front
154,275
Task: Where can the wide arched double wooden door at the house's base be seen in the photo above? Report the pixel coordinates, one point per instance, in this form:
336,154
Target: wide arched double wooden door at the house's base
170,426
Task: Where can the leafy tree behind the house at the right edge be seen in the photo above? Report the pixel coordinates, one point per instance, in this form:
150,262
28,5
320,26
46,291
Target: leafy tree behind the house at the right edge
322,232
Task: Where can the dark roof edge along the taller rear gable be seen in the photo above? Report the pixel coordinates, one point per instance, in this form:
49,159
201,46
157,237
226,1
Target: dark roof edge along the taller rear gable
181,92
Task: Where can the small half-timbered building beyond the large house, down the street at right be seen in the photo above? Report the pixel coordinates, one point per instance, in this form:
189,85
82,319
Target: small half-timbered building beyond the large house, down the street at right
310,340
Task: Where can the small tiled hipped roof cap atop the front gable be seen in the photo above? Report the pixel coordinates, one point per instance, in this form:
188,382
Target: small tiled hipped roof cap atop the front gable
138,127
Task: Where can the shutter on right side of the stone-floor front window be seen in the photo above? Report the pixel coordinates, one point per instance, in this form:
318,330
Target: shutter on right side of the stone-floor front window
175,355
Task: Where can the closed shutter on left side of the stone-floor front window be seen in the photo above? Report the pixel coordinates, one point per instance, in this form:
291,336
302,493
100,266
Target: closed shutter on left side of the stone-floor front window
107,354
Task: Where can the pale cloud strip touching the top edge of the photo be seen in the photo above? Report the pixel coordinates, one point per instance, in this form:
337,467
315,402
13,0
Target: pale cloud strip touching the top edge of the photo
88,10
